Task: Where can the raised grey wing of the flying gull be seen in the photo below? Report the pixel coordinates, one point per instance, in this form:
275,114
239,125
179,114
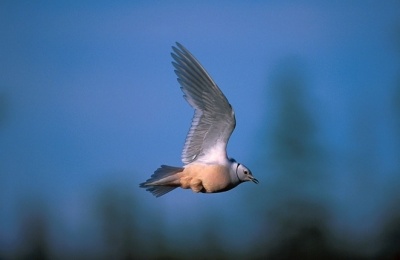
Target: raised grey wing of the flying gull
214,119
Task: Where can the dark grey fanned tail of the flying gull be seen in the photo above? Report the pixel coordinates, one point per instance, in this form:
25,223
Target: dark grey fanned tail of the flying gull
163,180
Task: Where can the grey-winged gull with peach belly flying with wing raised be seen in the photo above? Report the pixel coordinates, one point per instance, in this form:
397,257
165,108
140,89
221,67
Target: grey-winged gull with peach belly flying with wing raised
207,168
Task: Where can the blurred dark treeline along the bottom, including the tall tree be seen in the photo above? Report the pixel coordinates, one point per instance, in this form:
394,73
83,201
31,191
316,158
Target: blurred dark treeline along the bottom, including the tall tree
296,209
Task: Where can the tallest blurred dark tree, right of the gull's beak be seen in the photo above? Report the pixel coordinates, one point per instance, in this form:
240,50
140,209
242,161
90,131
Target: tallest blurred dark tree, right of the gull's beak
296,215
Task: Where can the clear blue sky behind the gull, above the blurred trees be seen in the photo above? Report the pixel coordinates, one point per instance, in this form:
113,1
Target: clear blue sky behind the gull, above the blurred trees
88,97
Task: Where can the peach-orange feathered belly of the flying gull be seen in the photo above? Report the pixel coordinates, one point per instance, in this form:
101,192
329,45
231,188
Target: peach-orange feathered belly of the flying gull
206,178
